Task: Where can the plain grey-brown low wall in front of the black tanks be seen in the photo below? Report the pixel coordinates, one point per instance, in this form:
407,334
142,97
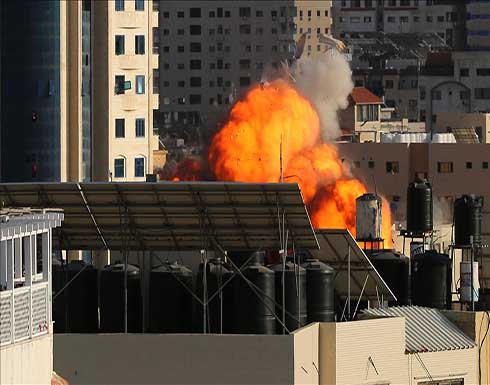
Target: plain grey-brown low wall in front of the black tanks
174,359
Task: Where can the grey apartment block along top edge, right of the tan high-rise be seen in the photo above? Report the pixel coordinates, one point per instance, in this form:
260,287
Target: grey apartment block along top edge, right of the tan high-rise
443,17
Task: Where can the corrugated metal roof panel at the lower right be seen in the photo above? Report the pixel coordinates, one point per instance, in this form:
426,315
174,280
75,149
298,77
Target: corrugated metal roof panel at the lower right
426,330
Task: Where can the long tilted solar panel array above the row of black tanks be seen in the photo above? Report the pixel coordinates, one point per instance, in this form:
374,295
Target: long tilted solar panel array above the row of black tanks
169,216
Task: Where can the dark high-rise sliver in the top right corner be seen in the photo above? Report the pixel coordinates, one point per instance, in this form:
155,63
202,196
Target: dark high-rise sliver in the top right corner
478,24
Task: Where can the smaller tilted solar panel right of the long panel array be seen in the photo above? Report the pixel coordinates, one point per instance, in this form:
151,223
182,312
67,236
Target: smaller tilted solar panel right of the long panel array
337,247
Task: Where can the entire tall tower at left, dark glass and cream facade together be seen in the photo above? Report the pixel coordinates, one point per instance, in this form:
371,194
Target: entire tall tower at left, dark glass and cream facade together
76,101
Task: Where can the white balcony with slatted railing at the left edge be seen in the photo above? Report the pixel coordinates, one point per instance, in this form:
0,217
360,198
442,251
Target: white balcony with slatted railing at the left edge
25,303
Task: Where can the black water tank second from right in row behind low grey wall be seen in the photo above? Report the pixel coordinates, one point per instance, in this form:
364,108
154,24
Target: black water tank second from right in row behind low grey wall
294,295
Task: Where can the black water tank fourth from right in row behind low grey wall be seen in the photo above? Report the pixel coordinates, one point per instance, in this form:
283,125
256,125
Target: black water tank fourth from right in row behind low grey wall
220,308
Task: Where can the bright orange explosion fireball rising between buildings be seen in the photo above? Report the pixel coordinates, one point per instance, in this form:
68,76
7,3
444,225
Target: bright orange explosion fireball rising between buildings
275,122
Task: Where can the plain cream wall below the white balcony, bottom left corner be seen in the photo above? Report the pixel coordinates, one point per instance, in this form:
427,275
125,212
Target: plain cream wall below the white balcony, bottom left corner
29,362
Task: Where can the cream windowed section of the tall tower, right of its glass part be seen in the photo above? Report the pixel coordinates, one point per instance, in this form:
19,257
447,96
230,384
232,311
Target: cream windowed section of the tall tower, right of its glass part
124,92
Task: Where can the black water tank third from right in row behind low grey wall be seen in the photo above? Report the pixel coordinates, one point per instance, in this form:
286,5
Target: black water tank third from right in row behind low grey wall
254,308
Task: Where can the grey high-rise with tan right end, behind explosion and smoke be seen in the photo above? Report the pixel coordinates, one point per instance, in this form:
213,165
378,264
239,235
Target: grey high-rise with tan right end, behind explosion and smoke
212,51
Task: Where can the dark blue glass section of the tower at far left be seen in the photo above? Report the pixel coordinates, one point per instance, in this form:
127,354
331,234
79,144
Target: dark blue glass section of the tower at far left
30,90
